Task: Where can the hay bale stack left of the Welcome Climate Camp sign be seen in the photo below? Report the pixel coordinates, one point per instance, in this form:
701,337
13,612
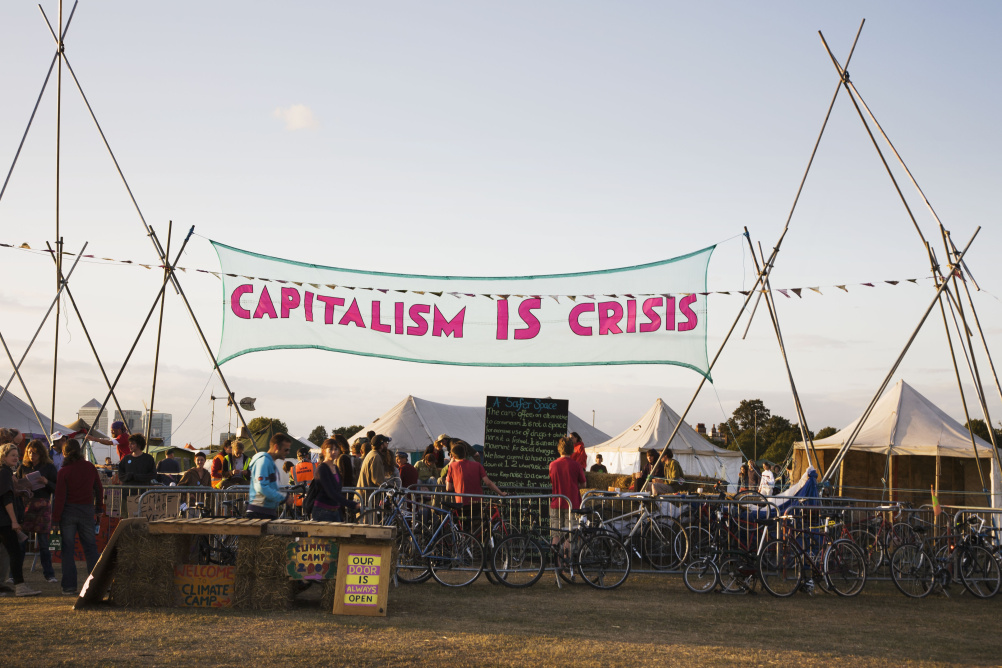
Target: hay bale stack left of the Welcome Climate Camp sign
145,569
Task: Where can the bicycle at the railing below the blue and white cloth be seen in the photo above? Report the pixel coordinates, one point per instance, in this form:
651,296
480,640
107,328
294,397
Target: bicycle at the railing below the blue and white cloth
804,555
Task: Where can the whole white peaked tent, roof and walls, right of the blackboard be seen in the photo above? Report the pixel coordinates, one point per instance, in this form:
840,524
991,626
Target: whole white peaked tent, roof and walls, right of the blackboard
696,455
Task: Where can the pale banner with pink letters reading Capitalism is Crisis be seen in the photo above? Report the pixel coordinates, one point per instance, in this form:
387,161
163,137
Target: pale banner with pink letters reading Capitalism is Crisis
649,314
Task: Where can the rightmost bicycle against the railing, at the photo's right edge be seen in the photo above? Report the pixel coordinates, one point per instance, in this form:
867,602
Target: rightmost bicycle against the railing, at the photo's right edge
918,569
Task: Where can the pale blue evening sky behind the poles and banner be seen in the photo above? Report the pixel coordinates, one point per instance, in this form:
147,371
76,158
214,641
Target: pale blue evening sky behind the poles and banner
476,139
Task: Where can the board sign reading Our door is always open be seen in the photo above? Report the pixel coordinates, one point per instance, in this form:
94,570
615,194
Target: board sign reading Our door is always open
364,573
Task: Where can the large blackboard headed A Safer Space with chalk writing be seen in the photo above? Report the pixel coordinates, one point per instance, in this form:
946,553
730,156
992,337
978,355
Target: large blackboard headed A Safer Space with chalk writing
521,439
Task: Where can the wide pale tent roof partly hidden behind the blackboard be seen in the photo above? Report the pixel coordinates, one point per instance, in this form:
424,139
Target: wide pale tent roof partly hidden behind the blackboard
415,423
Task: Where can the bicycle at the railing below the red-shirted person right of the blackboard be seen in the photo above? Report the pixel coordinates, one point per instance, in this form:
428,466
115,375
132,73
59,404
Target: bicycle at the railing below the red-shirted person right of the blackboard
596,554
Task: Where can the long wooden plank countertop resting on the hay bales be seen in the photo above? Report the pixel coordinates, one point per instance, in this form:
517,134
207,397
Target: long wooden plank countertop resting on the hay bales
248,527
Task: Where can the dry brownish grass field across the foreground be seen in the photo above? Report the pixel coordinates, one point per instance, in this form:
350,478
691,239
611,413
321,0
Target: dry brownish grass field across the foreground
648,622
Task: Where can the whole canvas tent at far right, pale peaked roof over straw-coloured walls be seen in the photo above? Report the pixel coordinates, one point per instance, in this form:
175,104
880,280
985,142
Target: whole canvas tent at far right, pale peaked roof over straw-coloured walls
907,445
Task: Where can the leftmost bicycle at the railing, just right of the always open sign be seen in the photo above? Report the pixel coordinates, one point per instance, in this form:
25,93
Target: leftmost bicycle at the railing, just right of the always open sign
452,556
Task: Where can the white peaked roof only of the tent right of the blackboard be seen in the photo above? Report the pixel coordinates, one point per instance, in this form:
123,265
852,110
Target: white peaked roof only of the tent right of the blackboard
653,432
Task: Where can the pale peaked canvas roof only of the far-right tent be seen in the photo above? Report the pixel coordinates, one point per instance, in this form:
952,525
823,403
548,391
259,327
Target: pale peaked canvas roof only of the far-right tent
905,423
